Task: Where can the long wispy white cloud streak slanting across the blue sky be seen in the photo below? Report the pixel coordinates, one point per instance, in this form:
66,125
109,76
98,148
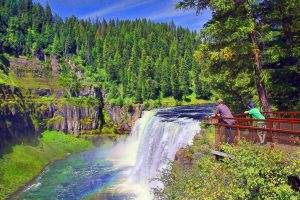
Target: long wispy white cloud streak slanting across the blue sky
121,5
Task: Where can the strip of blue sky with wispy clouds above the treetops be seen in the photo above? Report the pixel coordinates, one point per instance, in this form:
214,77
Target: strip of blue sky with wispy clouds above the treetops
156,10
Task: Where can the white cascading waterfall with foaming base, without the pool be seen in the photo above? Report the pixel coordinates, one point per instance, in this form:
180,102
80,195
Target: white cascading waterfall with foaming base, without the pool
151,145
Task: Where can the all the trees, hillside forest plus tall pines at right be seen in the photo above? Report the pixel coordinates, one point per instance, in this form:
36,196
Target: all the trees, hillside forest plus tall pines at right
248,51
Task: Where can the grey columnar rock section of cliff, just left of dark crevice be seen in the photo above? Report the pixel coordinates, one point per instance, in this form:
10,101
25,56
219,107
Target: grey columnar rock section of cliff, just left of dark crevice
71,115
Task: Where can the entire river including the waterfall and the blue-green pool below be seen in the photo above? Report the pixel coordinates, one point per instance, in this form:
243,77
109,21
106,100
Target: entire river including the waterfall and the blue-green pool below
123,170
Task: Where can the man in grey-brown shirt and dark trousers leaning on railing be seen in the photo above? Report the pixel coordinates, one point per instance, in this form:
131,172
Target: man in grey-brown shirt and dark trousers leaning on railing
223,111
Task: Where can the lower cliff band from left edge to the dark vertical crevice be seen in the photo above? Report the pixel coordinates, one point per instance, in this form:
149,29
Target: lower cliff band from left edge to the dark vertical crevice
22,117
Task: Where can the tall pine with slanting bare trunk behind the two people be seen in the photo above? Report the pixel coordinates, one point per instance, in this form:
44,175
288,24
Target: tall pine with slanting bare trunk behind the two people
230,46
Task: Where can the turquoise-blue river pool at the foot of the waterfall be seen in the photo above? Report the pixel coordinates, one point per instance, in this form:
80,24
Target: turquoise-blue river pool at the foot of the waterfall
80,176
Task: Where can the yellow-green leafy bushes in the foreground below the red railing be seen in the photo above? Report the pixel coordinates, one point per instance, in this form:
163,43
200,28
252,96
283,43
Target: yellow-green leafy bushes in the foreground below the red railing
253,173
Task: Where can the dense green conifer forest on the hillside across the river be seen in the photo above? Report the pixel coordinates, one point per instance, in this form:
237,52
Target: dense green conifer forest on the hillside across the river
131,60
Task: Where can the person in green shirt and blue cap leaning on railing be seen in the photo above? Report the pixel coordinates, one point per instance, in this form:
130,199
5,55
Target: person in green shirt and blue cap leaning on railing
256,114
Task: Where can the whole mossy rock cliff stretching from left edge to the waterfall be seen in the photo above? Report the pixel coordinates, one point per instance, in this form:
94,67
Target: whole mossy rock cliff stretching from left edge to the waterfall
38,103
